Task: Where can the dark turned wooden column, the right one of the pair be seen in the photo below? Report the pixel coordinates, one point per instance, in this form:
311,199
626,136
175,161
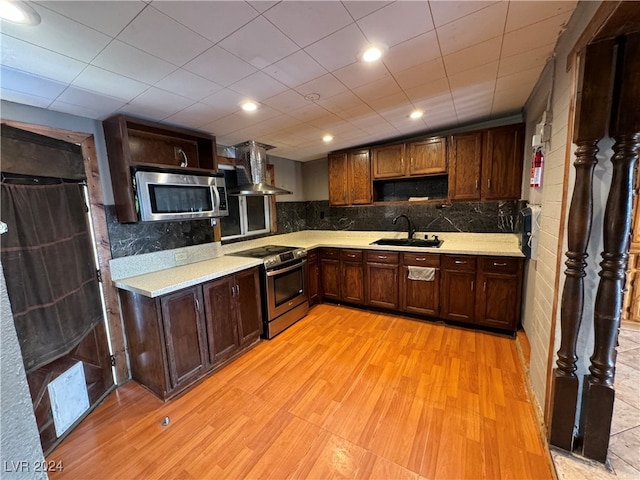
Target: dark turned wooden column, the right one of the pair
598,391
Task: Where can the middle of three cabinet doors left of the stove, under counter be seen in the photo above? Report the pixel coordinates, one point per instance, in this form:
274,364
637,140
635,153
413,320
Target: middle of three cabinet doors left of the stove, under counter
222,327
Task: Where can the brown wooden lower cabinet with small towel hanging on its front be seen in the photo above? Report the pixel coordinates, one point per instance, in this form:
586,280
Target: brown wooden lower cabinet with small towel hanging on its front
419,296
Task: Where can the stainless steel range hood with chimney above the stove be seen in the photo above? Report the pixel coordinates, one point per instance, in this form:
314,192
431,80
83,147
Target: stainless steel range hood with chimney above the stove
251,169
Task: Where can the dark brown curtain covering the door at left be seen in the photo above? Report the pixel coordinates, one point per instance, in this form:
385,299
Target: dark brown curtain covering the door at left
49,267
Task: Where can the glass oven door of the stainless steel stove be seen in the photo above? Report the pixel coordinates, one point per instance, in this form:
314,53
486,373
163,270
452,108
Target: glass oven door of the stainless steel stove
285,288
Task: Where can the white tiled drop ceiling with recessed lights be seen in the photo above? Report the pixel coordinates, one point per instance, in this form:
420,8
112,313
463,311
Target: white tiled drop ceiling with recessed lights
191,63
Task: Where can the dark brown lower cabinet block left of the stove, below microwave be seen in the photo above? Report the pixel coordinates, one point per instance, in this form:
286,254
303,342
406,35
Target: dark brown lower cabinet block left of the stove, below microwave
176,339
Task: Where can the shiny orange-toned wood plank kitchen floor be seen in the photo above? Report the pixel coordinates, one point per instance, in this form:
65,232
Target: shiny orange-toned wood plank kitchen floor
343,393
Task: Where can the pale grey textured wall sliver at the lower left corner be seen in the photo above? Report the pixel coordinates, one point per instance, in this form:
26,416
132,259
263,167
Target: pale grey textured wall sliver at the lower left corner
19,439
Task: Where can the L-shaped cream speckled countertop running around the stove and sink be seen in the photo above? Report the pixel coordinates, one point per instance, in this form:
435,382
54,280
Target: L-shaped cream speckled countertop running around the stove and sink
156,274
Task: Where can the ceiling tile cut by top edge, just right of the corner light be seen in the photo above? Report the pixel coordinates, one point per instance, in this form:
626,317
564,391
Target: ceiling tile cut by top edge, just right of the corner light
106,17
